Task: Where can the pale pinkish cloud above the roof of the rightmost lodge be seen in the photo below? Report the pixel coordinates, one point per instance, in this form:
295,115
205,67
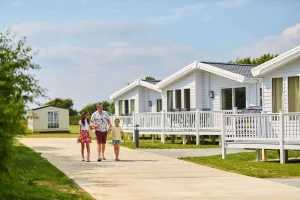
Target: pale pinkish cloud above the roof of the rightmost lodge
273,44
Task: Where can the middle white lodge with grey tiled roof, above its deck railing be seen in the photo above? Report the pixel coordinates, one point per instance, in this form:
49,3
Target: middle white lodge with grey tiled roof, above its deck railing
211,86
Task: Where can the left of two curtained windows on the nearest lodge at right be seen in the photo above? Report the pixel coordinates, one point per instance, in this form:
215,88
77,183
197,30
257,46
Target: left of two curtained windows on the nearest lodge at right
277,94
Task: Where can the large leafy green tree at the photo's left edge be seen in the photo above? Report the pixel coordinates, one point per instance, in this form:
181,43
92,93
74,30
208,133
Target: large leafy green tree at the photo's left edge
18,87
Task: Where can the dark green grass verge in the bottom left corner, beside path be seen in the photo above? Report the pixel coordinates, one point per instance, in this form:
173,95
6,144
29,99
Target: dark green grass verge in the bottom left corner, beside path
33,177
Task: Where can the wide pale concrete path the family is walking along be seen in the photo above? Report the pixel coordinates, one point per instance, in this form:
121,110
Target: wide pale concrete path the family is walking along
143,175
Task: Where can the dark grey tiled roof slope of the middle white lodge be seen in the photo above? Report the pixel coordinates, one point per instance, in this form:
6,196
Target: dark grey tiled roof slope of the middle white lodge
242,69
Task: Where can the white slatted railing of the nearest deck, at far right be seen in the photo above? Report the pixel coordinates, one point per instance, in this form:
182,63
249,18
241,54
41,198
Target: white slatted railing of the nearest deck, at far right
262,126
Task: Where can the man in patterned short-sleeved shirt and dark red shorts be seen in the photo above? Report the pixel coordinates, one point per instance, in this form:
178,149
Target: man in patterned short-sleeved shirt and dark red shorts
100,119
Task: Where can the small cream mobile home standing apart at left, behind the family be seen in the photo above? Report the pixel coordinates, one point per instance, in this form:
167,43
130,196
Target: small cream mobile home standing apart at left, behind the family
48,119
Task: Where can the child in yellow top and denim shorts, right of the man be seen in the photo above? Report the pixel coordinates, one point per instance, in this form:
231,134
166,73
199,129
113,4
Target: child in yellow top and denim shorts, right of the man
117,135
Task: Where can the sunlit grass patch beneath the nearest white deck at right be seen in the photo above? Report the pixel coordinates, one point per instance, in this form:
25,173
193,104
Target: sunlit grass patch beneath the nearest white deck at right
244,163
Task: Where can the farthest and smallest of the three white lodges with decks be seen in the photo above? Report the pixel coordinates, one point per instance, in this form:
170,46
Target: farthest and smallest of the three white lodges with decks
139,96
